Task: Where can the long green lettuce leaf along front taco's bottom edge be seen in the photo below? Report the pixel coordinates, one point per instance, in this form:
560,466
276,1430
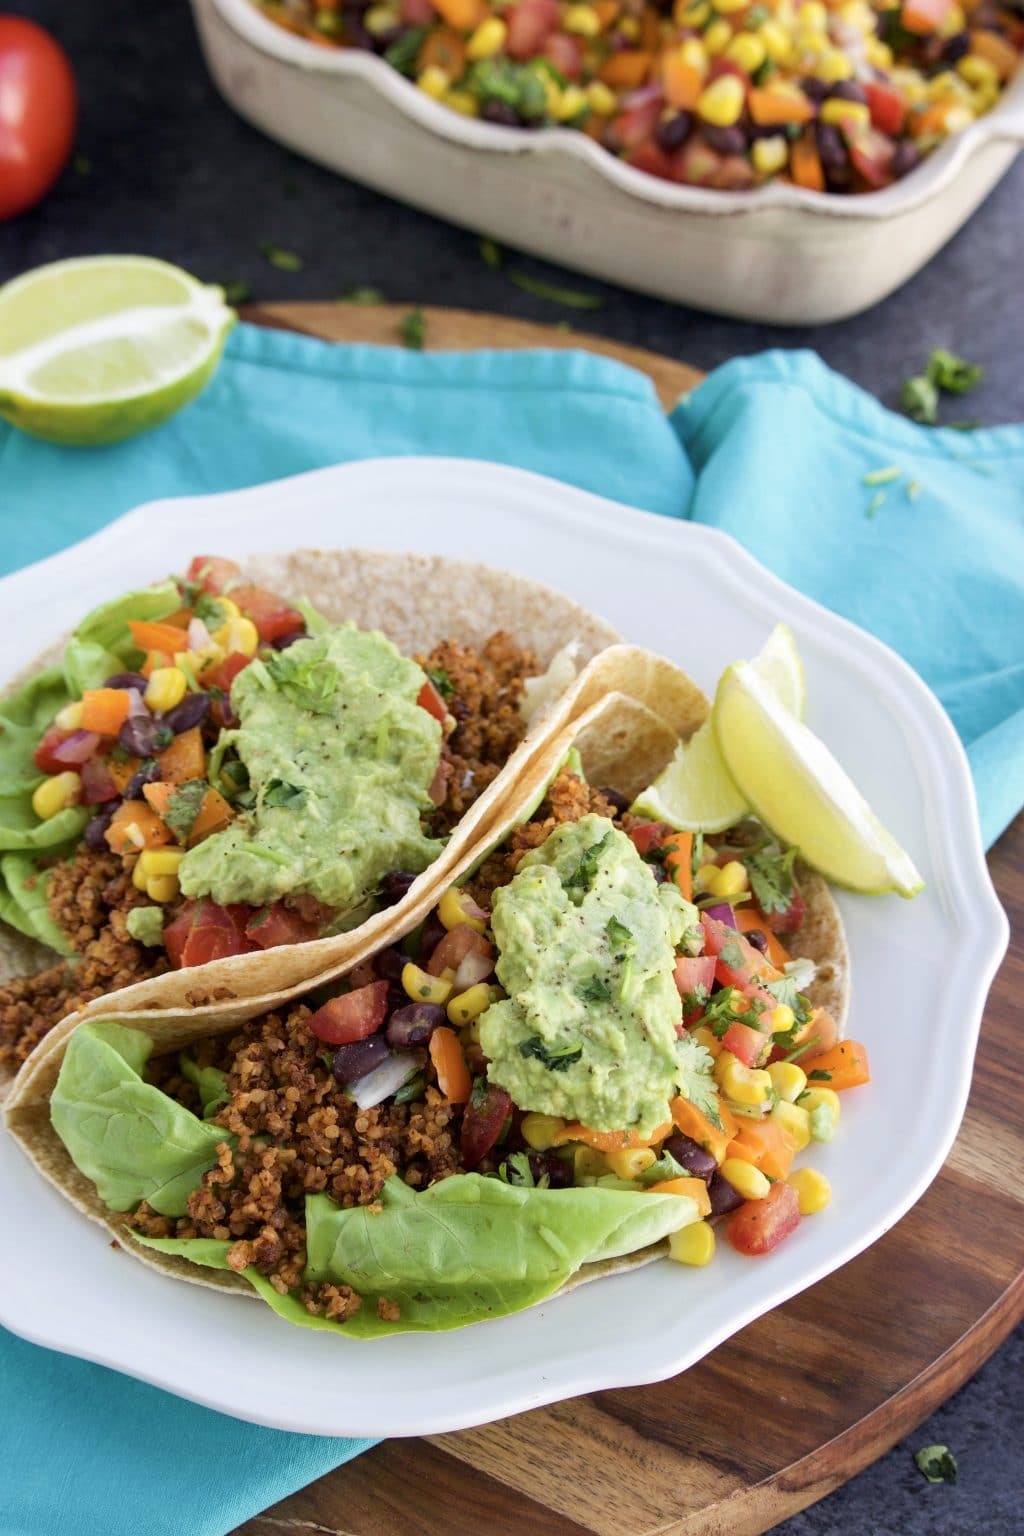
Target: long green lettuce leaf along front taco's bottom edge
463,1251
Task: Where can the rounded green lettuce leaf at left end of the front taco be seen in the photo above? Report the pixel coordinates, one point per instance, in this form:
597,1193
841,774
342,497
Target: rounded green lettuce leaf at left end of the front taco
127,1136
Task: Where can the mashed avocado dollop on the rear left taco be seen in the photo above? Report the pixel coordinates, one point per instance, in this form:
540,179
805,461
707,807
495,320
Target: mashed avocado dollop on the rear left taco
340,761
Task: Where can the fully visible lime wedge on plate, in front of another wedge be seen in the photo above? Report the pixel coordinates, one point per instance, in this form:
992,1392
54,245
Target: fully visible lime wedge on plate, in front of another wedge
796,787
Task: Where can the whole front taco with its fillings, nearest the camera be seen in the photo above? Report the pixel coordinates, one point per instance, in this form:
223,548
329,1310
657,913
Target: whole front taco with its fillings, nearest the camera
549,1071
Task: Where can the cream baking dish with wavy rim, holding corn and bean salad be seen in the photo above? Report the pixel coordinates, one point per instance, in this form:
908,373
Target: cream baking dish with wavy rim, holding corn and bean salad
779,254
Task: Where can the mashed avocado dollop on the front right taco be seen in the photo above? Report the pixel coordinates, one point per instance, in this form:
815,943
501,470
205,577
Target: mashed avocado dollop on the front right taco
587,953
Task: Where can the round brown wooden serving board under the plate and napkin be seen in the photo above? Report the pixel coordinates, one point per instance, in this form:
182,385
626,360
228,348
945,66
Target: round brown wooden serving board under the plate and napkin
831,1380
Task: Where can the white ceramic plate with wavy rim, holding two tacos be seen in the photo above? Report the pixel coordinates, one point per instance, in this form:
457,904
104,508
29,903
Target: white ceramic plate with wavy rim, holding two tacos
922,970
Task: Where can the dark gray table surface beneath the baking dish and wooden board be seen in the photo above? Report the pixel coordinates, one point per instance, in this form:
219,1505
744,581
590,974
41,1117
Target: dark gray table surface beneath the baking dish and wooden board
176,174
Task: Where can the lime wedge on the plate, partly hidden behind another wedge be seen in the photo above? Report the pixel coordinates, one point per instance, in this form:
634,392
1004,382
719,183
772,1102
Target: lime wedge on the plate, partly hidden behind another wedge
698,793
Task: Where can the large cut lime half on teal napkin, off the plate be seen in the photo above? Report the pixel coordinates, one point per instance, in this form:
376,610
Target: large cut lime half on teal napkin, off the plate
101,348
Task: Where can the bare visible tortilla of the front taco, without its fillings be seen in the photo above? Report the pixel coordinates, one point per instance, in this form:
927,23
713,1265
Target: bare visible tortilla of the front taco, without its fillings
621,741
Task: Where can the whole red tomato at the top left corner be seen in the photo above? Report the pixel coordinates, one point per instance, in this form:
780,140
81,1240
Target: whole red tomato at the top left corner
38,113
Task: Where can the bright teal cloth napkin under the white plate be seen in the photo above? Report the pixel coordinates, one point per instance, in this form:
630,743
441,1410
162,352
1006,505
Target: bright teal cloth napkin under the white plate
779,449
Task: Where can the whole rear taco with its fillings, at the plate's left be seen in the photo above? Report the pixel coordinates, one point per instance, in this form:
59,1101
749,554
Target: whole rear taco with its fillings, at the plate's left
214,773
